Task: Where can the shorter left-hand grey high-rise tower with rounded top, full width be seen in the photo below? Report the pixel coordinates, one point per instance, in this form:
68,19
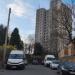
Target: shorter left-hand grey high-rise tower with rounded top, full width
42,25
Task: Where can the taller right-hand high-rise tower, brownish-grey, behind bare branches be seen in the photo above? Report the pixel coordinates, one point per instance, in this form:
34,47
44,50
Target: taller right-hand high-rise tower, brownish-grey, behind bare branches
60,18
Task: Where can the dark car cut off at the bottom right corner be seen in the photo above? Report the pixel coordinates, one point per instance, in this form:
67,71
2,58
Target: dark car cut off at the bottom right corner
66,68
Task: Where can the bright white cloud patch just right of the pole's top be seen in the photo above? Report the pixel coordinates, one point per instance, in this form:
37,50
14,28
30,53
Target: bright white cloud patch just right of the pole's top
17,8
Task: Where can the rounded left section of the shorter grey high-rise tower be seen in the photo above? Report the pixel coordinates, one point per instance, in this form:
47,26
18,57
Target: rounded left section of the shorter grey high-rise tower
40,25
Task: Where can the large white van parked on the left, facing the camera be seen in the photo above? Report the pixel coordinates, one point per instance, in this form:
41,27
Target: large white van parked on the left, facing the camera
16,59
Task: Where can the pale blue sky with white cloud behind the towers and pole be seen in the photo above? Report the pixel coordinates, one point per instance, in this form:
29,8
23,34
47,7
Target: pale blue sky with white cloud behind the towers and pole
23,14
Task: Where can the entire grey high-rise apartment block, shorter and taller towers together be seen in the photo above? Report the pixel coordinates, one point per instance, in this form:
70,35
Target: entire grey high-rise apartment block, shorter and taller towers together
50,26
